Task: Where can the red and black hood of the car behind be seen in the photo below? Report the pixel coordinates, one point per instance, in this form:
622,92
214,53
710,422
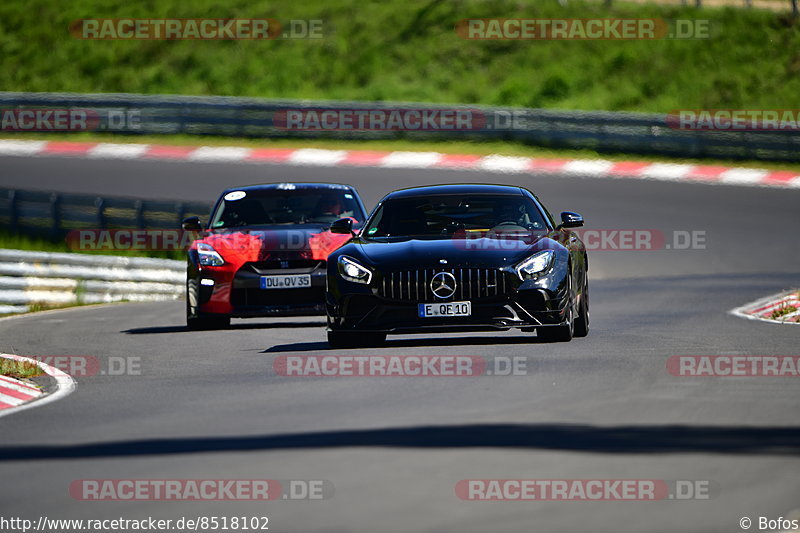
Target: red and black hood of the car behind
307,241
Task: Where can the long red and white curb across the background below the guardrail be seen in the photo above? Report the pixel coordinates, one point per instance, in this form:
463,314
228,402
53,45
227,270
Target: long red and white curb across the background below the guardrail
674,172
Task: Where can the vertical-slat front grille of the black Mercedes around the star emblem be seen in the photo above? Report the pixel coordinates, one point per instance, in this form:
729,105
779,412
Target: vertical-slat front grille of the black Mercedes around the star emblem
471,284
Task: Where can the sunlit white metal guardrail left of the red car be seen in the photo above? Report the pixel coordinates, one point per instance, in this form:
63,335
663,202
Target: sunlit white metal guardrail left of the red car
28,278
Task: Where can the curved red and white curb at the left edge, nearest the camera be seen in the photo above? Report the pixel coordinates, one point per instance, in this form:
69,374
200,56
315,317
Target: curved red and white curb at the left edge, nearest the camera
16,396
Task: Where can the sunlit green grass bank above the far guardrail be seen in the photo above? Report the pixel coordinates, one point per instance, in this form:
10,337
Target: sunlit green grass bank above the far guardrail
409,51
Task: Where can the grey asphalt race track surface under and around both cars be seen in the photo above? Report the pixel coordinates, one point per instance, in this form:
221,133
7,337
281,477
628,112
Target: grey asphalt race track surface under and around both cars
208,405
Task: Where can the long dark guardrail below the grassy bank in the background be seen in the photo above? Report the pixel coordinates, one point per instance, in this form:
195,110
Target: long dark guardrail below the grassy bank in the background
642,133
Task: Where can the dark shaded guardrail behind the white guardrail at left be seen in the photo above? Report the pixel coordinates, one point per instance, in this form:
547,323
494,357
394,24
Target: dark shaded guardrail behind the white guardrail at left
55,214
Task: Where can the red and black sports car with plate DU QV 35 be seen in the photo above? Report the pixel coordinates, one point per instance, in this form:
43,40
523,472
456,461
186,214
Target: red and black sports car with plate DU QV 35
264,251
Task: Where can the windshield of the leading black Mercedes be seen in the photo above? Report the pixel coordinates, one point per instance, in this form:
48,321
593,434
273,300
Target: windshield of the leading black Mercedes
448,215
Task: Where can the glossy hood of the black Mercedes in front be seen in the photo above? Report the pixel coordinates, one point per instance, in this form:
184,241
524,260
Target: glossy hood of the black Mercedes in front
423,253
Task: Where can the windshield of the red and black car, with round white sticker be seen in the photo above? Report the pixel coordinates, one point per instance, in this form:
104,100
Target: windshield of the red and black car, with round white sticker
285,206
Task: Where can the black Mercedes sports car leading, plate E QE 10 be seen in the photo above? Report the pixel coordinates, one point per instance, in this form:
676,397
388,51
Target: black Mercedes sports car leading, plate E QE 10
458,257
